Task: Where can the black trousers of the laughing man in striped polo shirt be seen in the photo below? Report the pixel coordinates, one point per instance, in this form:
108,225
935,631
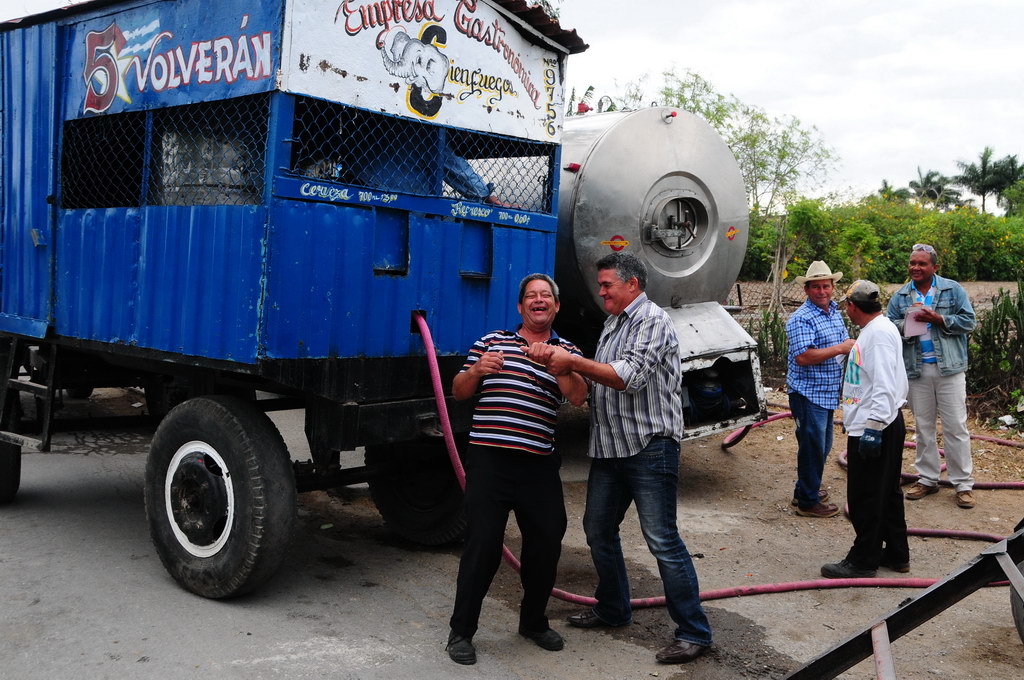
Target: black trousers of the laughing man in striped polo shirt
498,482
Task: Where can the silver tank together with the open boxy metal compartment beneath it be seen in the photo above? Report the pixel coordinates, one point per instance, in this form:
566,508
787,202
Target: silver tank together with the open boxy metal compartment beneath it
660,183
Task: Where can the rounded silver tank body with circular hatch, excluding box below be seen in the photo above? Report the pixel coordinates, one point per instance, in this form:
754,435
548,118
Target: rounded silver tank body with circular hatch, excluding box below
659,183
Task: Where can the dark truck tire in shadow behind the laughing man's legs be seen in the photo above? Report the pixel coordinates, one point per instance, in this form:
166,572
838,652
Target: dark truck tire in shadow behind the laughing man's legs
419,495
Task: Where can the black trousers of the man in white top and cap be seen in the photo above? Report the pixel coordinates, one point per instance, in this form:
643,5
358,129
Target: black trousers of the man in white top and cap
877,501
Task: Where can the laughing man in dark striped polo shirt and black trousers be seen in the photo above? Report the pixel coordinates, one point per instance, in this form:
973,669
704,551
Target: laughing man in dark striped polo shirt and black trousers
513,465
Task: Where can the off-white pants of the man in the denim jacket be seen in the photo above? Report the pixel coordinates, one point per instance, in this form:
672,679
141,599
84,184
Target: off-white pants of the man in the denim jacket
934,395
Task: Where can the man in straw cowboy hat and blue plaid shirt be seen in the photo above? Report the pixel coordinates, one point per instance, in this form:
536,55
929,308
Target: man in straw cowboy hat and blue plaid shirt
819,342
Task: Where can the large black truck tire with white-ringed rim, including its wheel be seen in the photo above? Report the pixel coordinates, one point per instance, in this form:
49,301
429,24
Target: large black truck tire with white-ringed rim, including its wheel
220,496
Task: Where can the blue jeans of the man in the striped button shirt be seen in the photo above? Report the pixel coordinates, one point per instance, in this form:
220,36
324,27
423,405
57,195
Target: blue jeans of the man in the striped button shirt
650,481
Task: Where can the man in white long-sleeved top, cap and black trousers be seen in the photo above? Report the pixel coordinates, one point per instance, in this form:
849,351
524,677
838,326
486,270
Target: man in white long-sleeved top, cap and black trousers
875,389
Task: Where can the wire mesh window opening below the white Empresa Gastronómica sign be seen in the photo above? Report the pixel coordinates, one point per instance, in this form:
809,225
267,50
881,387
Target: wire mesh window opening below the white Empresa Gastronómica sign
342,144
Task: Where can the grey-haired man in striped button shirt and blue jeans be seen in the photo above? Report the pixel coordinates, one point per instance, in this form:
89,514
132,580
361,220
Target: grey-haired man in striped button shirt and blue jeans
636,426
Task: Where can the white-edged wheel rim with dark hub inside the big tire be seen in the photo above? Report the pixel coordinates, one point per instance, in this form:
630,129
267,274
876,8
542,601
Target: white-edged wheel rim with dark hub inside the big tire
200,499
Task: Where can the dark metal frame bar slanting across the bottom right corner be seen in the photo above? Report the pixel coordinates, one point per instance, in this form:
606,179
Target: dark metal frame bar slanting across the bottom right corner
1000,560
